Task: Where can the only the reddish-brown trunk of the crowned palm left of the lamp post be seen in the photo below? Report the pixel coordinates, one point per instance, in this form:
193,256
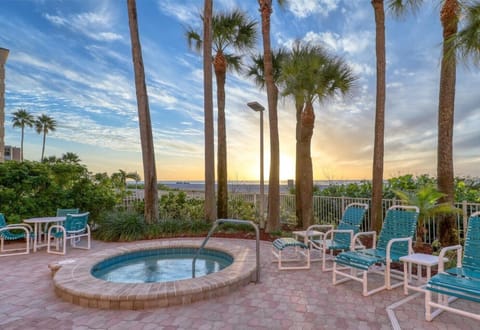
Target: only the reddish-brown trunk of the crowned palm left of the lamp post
220,66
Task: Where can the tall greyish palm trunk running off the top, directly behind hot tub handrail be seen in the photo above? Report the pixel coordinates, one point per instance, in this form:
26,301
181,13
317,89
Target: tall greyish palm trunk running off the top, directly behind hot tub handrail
210,214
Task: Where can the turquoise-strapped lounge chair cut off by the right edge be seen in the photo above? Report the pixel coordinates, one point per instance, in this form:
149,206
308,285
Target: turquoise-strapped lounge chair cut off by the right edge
462,281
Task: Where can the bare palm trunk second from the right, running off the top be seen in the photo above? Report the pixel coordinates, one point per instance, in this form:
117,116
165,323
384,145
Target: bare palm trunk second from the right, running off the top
378,149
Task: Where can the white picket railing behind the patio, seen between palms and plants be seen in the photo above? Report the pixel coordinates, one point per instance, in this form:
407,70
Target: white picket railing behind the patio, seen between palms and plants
330,209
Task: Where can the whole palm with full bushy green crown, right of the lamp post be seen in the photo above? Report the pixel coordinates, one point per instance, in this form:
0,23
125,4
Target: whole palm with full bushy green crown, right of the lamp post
310,74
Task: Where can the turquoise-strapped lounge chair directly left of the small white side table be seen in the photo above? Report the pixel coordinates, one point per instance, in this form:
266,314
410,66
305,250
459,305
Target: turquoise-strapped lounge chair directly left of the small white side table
394,242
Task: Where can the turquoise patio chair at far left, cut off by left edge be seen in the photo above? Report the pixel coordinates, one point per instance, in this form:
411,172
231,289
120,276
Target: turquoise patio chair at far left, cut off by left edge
10,233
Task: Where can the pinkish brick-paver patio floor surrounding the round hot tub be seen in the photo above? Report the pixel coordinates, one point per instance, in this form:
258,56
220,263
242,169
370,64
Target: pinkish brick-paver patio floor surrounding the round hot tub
302,299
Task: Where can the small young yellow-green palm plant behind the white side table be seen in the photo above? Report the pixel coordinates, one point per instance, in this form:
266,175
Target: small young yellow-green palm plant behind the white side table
426,198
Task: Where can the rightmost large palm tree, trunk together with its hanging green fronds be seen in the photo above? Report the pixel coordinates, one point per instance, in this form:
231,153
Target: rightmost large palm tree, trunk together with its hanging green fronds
453,13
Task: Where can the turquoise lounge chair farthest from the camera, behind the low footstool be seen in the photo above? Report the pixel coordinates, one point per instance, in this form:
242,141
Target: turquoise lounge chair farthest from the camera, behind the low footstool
342,238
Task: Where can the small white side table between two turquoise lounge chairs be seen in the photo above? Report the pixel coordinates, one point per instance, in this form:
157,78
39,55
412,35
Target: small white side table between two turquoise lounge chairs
420,259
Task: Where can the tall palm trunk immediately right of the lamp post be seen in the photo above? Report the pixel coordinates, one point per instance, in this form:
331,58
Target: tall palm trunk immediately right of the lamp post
273,217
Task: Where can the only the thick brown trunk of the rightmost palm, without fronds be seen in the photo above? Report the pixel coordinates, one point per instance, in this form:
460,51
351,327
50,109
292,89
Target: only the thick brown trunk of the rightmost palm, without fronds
446,106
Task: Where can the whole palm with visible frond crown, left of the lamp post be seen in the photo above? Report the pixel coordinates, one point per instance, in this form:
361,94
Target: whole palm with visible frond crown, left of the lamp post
232,34
